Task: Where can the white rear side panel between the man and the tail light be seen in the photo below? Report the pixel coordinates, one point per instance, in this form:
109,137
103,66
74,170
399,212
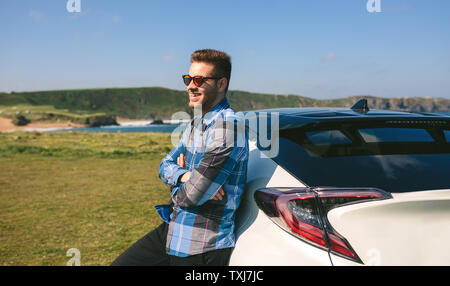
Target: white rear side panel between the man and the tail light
258,237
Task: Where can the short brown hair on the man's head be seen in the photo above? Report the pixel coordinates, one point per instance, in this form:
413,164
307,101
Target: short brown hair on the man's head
220,60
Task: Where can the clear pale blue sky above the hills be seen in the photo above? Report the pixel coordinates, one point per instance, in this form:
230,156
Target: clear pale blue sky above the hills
322,49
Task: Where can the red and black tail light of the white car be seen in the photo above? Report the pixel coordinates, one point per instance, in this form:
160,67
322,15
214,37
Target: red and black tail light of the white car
303,213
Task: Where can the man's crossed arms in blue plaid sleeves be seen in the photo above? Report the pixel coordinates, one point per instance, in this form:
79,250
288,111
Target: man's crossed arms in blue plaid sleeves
205,182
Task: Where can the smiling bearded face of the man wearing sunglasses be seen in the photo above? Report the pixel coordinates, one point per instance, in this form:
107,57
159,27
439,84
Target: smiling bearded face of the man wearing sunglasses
208,93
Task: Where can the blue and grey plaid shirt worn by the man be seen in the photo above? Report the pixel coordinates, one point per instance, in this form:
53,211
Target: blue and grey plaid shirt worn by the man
216,153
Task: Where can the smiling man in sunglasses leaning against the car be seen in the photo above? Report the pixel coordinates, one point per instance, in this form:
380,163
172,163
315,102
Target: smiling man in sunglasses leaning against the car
206,172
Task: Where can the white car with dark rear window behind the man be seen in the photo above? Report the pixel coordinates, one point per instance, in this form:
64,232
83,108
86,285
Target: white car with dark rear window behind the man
348,187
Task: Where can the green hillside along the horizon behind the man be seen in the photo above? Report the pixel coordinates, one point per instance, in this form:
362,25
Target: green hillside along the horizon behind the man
161,103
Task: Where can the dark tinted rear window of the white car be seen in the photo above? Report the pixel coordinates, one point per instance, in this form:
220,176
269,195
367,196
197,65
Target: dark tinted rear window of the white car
393,157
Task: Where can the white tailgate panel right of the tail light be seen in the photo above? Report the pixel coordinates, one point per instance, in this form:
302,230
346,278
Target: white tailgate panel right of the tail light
409,229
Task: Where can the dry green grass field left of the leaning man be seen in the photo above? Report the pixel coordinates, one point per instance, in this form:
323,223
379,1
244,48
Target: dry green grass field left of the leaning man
91,191
